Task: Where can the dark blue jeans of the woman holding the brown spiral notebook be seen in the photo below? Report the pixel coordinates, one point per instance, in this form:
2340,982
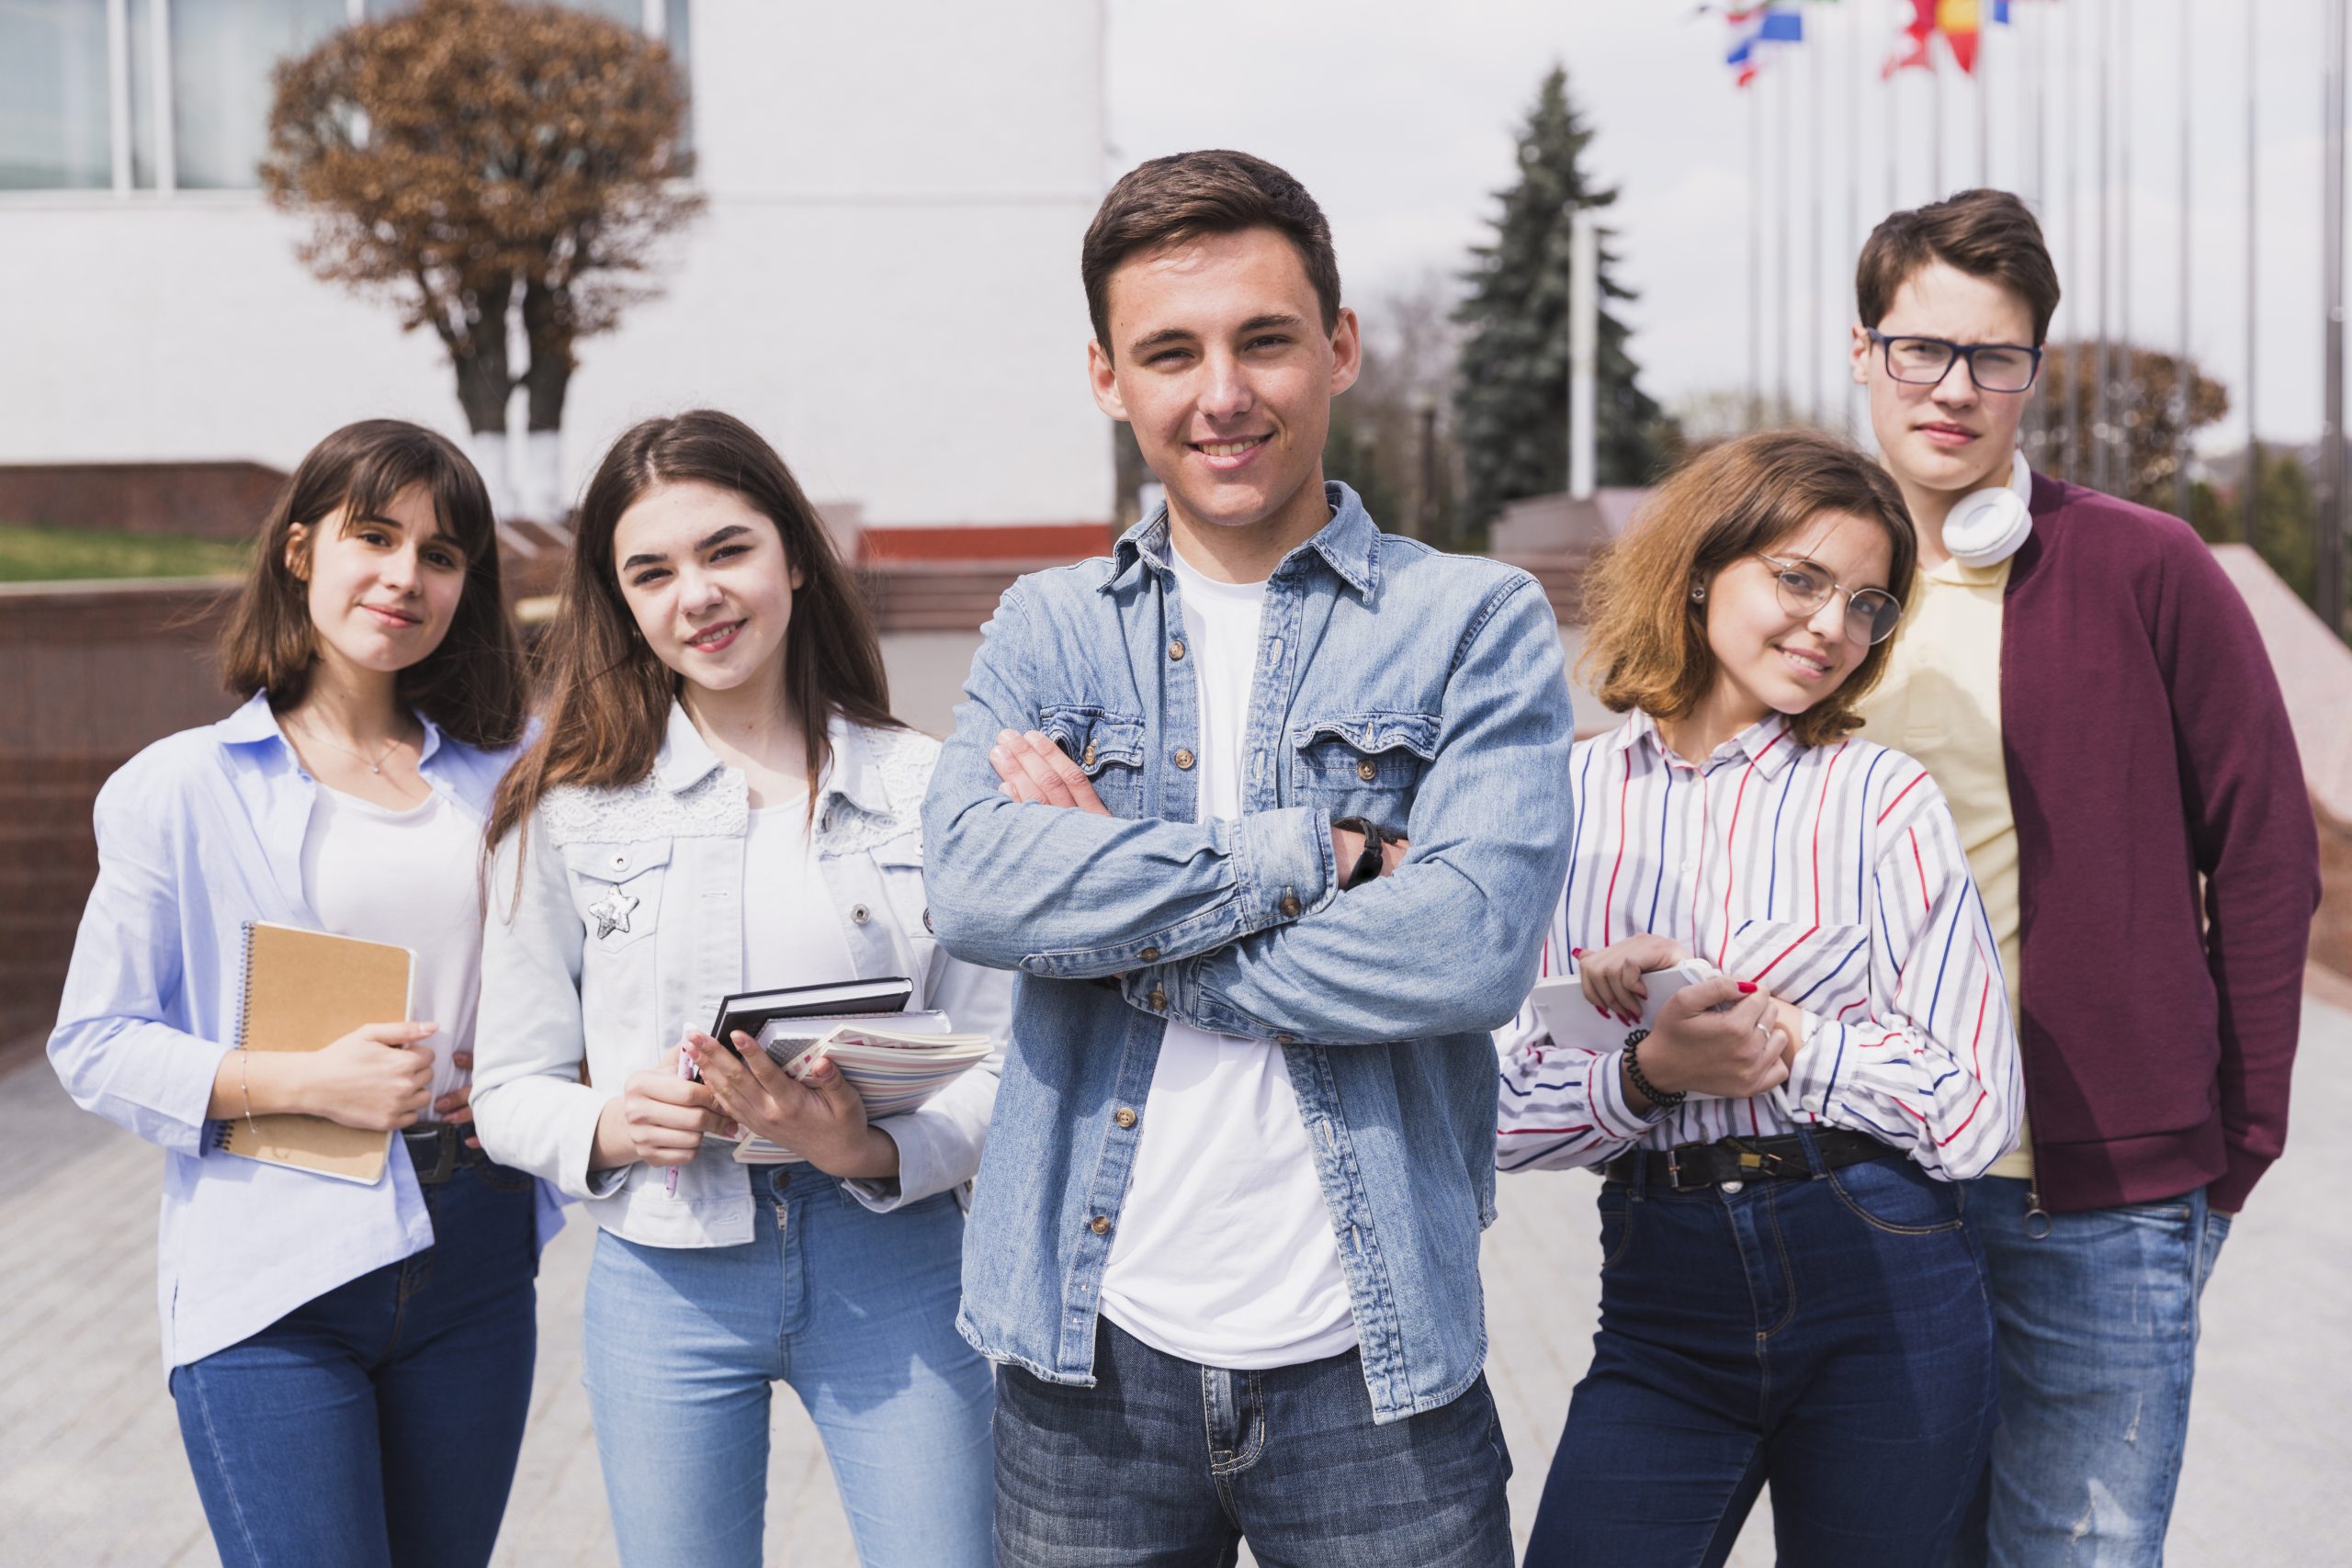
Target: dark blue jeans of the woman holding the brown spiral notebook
380,1423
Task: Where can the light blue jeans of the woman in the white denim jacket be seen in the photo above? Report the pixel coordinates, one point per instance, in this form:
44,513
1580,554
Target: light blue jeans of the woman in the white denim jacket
857,1313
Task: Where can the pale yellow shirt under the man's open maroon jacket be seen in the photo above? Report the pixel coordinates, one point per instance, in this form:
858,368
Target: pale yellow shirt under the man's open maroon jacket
1942,702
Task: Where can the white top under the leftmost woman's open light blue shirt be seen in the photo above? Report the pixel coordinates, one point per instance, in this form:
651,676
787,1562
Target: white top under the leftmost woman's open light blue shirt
413,880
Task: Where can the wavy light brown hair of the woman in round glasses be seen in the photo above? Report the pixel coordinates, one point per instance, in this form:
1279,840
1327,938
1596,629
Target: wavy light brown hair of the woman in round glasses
1648,638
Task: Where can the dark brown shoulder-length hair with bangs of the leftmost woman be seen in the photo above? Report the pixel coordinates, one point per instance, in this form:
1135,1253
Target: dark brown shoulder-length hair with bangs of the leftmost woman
472,685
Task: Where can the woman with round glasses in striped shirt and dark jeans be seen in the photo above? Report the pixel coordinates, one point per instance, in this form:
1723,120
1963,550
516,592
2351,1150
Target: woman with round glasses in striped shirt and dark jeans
1786,1287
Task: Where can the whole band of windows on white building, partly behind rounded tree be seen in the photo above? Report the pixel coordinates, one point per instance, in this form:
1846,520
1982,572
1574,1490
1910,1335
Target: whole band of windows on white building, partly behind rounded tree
175,95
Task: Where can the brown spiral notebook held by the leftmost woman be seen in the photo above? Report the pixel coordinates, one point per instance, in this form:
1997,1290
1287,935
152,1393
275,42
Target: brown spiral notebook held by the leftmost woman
305,991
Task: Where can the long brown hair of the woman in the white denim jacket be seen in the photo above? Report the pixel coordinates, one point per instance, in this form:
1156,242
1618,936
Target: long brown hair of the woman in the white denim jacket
610,697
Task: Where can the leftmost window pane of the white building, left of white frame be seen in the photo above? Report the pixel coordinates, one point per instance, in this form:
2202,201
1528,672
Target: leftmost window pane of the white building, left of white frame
55,98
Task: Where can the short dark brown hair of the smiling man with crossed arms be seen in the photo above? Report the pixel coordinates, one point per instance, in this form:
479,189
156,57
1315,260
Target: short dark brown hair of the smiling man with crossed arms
1191,196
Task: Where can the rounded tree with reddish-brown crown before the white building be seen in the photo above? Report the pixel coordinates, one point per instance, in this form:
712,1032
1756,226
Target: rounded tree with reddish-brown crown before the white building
474,156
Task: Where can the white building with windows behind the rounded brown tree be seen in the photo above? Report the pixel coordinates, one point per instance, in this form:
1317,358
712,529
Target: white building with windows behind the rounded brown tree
883,283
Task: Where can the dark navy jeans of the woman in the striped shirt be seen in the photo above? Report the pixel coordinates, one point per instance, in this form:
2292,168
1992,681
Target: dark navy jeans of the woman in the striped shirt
1829,1336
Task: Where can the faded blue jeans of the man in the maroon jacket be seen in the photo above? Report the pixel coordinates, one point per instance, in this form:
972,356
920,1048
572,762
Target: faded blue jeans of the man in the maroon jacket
2099,1346
